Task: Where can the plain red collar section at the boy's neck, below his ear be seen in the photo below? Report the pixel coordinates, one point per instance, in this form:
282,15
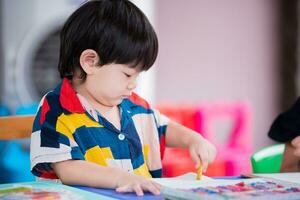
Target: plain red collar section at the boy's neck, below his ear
68,98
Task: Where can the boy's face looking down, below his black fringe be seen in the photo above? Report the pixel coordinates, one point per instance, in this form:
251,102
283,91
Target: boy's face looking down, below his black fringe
111,83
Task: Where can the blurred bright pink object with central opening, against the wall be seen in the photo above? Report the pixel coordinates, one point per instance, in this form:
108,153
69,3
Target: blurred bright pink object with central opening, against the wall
235,151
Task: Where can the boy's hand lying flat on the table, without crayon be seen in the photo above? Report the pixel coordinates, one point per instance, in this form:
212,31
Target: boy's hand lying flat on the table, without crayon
134,183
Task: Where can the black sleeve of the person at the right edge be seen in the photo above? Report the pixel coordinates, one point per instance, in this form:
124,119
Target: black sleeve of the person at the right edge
286,126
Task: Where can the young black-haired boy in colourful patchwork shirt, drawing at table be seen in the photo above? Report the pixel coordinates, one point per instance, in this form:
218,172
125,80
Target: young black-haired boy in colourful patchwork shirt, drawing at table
92,129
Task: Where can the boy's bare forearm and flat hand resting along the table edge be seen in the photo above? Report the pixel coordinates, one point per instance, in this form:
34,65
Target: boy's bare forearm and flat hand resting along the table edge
80,172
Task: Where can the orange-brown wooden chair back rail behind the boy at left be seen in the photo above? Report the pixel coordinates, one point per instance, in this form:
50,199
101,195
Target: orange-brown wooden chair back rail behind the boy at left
16,127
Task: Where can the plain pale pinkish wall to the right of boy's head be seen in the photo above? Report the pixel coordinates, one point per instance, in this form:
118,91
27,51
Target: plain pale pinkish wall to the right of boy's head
220,50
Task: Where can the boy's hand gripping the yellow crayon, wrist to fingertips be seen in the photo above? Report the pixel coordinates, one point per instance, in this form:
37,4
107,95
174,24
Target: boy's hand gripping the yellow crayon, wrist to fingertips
202,149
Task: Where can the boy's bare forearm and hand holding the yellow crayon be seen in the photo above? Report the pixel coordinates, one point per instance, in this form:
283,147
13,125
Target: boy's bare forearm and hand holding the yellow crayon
200,149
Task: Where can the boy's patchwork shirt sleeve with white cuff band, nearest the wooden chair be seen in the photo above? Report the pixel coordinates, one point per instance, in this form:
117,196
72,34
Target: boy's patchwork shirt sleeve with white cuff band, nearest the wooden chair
48,145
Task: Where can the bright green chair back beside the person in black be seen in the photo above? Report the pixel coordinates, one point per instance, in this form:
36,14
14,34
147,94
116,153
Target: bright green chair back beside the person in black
268,159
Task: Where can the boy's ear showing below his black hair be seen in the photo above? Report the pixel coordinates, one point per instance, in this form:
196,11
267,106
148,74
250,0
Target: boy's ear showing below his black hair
89,59
